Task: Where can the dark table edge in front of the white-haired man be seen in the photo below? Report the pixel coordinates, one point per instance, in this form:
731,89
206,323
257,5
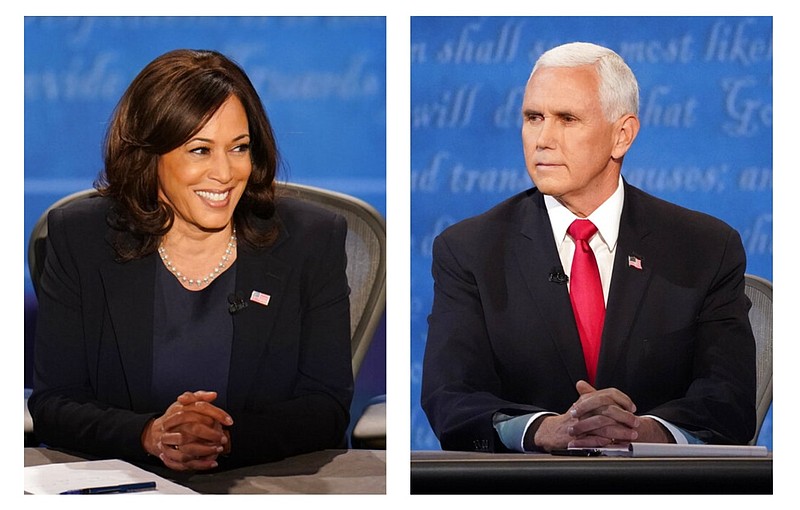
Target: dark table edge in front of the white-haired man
446,472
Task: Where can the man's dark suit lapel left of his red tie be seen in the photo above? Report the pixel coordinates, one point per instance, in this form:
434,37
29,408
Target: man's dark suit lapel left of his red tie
537,256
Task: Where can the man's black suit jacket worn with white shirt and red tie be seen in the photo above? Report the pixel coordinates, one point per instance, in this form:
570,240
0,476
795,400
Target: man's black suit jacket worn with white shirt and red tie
502,337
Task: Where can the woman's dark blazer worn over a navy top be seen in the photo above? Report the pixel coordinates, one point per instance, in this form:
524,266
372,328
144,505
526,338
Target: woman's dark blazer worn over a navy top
290,383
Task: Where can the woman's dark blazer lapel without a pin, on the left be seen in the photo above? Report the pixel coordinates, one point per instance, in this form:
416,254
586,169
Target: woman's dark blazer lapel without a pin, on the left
129,289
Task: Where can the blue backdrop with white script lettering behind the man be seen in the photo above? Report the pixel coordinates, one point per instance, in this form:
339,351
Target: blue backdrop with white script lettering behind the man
705,140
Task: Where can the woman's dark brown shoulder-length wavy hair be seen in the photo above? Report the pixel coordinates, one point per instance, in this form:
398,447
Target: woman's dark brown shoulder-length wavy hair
170,100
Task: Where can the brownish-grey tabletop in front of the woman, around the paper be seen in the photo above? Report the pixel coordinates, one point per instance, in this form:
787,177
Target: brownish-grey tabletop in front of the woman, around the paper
323,472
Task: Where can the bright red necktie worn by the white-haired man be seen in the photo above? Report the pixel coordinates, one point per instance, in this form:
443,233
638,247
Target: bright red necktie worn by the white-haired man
586,294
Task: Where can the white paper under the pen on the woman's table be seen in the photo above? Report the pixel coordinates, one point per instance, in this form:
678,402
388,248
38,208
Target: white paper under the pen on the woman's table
57,478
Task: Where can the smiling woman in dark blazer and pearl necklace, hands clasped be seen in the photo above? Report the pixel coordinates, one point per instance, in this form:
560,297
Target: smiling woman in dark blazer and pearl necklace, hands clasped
188,315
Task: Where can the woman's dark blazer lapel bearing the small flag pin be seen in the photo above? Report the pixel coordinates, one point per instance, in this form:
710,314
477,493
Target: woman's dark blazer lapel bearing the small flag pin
257,270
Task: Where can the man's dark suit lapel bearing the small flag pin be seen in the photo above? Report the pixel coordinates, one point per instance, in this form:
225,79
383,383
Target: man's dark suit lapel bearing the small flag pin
628,285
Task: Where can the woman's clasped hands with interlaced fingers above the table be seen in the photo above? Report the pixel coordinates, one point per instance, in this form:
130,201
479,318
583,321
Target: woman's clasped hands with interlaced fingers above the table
191,434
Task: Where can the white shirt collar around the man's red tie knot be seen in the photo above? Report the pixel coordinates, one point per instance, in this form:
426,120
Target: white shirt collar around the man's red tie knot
605,218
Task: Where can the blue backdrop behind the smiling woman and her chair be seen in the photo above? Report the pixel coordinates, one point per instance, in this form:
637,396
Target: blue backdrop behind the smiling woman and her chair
322,81
